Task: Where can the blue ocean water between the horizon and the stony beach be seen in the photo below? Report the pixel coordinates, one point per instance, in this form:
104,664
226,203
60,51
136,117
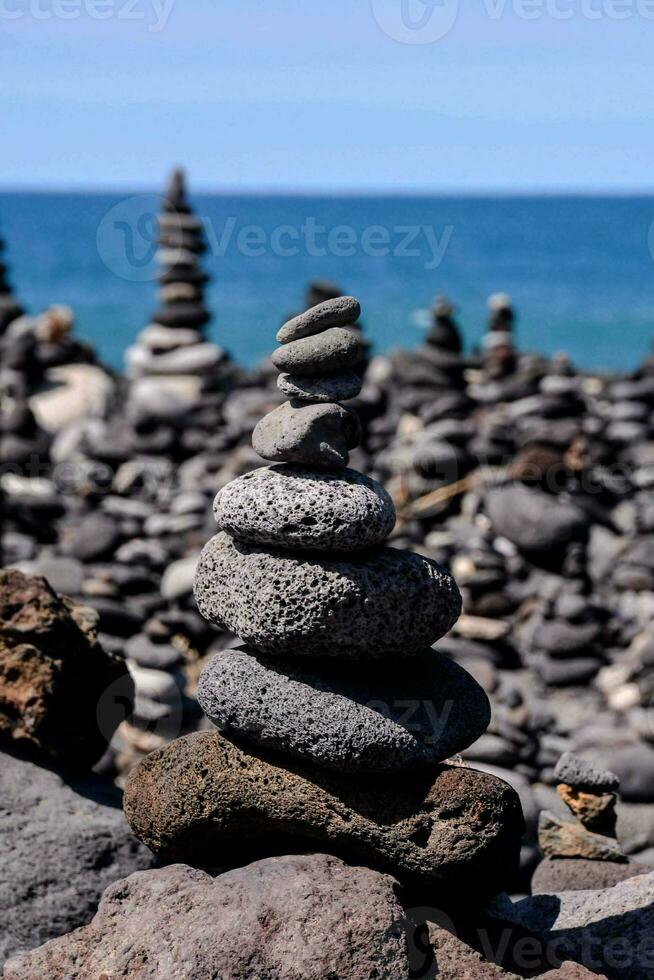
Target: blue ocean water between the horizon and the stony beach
580,270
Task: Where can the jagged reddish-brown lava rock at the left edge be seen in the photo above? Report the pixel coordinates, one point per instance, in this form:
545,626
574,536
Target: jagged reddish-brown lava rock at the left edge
61,694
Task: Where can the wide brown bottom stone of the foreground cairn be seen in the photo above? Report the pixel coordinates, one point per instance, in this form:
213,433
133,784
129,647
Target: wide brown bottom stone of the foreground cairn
205,800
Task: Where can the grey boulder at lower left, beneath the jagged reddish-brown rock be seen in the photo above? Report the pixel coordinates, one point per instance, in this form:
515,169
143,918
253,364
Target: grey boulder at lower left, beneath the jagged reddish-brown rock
61,843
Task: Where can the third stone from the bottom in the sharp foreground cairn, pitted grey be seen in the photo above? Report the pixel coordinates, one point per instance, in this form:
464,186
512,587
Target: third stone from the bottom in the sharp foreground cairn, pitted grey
386,603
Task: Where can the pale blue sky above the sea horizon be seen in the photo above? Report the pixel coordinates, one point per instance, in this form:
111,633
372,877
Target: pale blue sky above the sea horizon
517,95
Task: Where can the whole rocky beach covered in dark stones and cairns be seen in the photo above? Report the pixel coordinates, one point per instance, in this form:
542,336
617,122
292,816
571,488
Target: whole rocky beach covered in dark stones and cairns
341,667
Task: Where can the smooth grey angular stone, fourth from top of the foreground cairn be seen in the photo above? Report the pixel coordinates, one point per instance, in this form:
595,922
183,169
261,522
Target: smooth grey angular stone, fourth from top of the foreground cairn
312,435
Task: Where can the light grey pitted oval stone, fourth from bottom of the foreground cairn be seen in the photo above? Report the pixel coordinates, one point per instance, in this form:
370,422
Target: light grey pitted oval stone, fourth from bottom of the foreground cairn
306,510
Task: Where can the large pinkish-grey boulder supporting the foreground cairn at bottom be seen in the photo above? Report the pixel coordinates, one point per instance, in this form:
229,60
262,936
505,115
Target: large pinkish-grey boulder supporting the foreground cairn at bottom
308,916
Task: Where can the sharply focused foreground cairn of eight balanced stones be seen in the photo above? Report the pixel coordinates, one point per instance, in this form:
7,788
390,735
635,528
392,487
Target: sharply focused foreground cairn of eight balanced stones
334,715
